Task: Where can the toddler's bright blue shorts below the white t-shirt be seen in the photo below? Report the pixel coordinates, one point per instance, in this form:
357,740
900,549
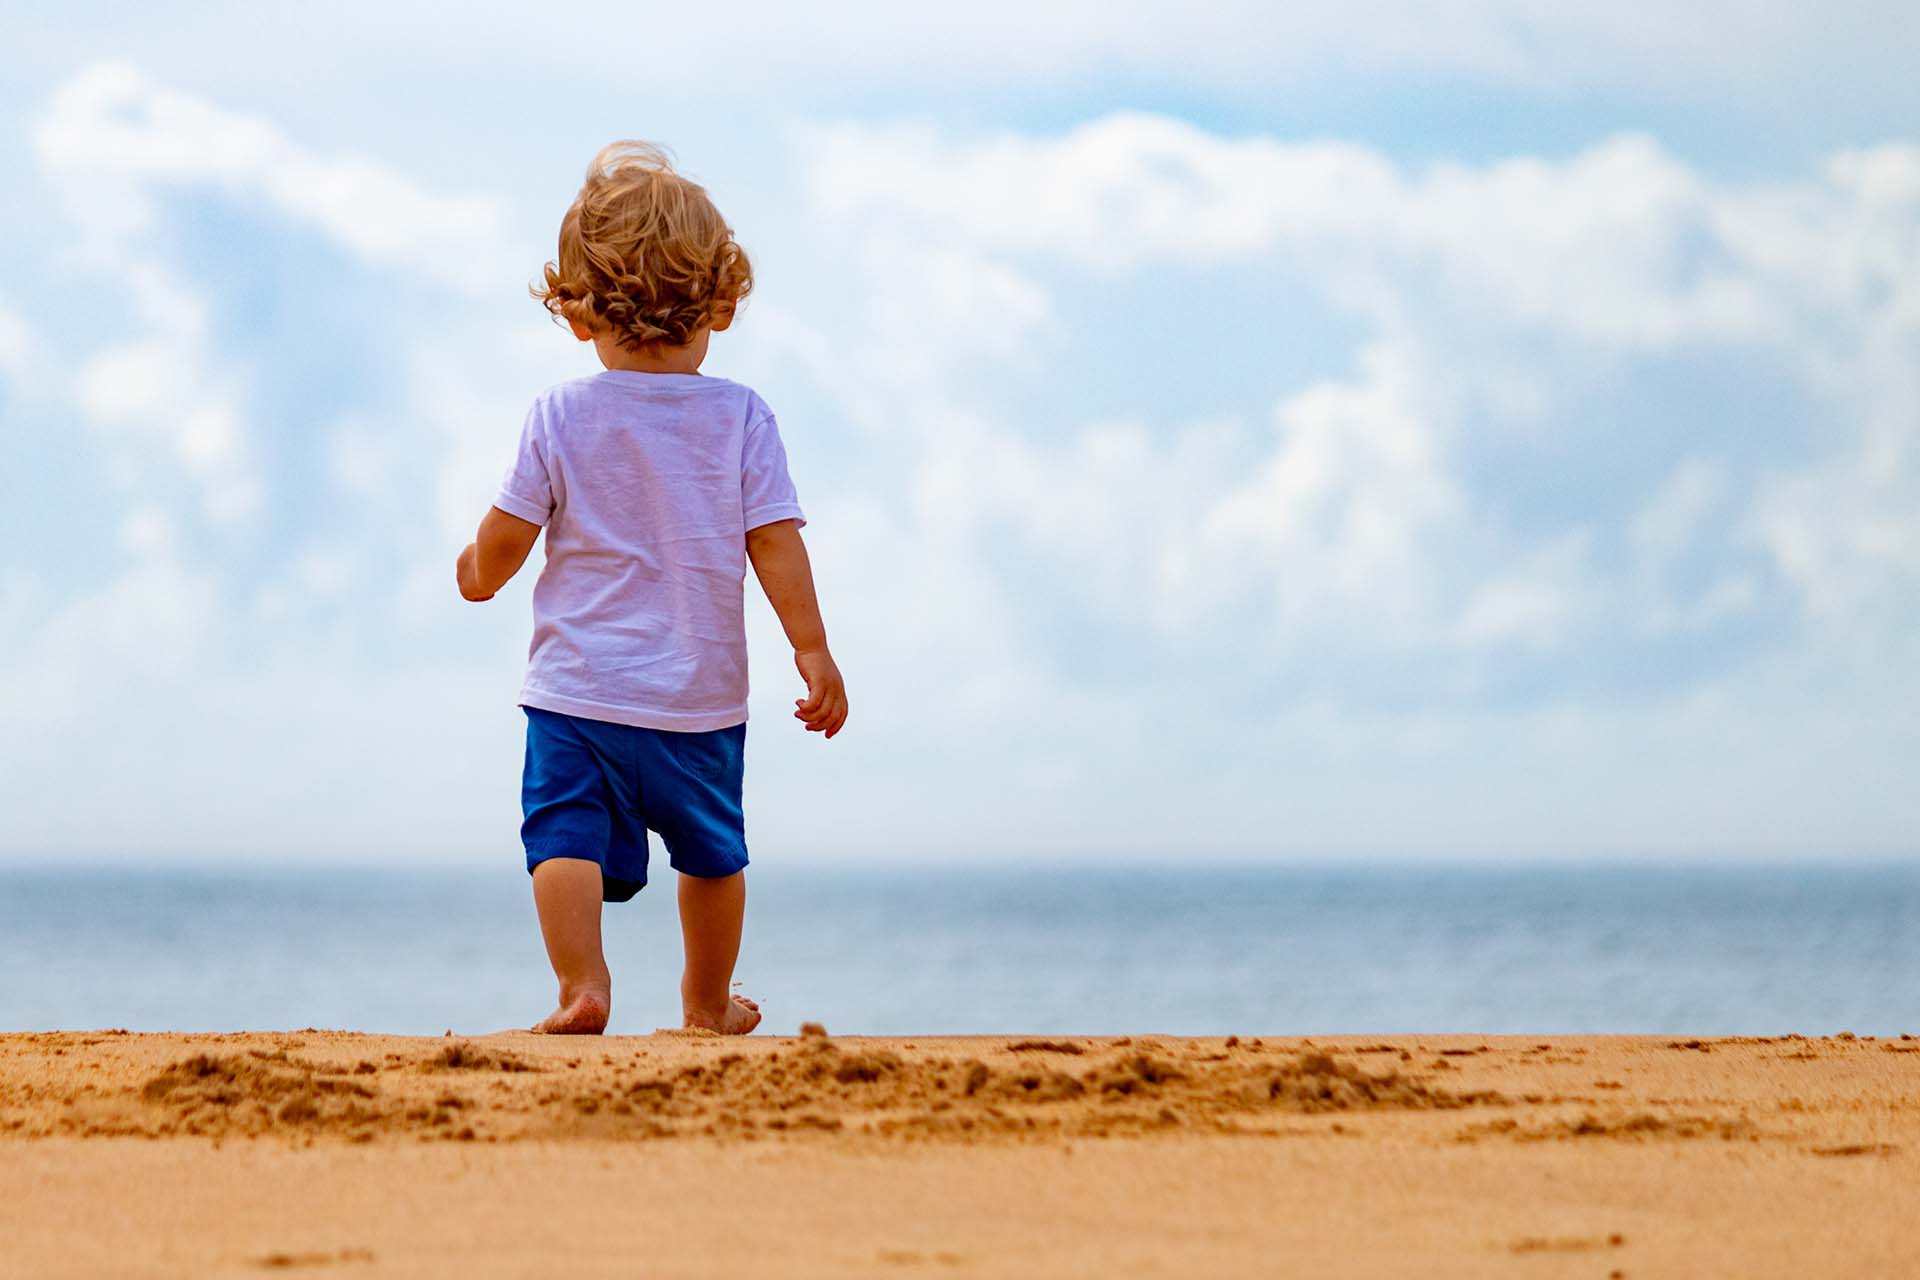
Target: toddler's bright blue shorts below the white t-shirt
592,790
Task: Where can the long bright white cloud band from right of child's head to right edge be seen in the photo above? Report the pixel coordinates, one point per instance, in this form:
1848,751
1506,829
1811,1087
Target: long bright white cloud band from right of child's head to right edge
1621,243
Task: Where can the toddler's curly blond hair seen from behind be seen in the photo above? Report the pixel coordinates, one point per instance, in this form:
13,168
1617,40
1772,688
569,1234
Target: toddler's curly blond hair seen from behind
644,252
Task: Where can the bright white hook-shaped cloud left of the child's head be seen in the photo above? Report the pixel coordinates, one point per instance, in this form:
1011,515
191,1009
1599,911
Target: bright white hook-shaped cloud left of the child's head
112,141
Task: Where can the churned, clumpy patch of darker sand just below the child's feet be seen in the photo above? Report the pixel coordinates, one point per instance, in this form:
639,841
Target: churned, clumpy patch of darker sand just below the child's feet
483,1091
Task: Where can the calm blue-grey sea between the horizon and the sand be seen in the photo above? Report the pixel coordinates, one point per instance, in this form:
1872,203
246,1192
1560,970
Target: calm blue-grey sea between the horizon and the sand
1199,951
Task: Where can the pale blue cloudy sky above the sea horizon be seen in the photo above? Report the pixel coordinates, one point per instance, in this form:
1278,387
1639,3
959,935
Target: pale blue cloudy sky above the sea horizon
1318,433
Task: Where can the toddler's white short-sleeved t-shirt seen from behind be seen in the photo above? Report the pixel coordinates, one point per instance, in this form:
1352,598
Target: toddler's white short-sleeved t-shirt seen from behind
648,486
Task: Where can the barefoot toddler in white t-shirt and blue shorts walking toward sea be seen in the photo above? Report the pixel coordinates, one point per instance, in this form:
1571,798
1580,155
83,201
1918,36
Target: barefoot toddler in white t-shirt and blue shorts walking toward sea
658,486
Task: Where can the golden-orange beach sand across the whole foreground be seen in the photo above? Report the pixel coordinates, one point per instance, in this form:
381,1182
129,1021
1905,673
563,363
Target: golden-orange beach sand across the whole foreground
341,1154
